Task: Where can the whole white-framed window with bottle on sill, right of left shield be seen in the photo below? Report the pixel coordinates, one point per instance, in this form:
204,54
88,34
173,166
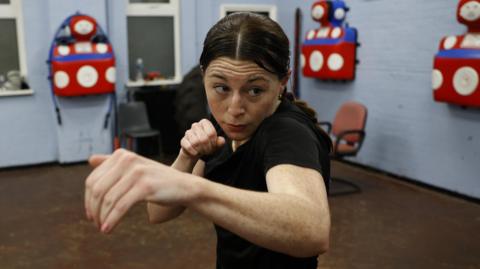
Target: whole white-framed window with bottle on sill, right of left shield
153,42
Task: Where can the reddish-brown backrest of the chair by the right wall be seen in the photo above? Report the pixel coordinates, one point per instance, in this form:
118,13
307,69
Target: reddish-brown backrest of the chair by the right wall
350,116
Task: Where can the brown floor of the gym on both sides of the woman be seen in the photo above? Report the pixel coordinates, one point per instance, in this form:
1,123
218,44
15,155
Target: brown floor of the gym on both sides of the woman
388,225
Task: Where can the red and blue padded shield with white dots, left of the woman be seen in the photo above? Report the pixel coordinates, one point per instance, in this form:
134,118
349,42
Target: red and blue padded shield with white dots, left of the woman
81,59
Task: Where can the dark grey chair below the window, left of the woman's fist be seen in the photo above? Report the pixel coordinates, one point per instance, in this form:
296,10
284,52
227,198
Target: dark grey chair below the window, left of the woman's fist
133,124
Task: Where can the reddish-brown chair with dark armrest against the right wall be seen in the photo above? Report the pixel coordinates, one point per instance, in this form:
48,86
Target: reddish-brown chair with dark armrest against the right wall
348,134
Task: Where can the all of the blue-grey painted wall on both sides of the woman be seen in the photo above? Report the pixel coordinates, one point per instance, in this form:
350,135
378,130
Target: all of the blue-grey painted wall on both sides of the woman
408,134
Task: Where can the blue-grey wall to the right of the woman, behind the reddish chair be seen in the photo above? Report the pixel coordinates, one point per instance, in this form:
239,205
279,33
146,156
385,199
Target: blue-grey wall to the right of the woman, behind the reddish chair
408,134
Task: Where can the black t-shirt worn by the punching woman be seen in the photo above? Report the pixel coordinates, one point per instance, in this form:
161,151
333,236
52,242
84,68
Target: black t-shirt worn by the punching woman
286,137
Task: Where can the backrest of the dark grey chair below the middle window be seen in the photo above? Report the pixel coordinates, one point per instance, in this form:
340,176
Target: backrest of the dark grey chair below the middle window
132,116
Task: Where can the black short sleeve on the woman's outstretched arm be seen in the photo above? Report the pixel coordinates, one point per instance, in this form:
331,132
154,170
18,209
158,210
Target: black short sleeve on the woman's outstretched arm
288,141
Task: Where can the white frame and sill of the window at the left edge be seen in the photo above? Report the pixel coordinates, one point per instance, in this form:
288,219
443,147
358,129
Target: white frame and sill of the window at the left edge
13,10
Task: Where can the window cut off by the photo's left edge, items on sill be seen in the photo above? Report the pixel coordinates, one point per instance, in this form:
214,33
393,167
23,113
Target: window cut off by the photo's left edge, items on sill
12,56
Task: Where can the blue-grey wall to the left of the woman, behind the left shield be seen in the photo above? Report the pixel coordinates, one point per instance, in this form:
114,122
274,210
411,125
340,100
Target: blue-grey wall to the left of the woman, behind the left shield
30,133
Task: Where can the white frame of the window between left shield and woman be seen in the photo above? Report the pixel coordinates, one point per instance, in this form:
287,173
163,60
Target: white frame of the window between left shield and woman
171,9
